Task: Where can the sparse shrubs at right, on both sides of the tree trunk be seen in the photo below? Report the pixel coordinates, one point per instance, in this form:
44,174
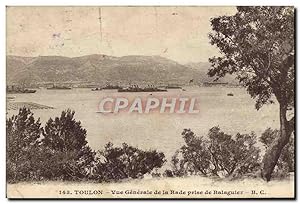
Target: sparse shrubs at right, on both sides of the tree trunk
222,155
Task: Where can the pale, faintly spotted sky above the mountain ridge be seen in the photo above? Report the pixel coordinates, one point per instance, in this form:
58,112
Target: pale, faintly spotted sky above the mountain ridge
177,33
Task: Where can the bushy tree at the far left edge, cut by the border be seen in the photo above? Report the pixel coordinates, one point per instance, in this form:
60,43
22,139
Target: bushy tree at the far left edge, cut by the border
23,138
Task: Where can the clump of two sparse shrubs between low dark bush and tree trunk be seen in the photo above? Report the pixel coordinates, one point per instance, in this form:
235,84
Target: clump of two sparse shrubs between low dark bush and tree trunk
219,154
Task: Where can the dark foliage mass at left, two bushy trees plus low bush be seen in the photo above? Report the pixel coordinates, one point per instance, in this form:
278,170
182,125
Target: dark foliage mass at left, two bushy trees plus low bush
59,151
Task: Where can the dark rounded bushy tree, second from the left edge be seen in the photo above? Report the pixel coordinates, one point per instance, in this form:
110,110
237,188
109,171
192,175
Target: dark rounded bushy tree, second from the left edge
65,147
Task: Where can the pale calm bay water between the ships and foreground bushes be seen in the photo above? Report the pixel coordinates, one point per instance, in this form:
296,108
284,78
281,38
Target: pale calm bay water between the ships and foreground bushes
155,131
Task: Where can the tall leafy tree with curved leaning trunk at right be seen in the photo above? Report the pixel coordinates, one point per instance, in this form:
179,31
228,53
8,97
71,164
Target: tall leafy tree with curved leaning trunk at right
257,46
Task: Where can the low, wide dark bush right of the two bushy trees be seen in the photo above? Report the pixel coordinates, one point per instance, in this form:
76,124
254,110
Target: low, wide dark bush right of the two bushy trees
116,163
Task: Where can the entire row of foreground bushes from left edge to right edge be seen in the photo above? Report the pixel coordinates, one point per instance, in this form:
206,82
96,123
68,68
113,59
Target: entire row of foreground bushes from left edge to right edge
59,151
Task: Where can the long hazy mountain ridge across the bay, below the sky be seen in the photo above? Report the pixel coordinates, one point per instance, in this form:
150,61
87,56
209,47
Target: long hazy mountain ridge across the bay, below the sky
101,69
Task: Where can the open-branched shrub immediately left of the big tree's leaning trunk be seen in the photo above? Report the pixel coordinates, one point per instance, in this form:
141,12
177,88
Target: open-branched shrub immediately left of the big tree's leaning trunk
233,156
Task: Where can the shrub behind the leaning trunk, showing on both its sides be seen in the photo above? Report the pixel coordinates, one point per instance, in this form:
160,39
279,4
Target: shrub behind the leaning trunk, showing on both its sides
286,161
